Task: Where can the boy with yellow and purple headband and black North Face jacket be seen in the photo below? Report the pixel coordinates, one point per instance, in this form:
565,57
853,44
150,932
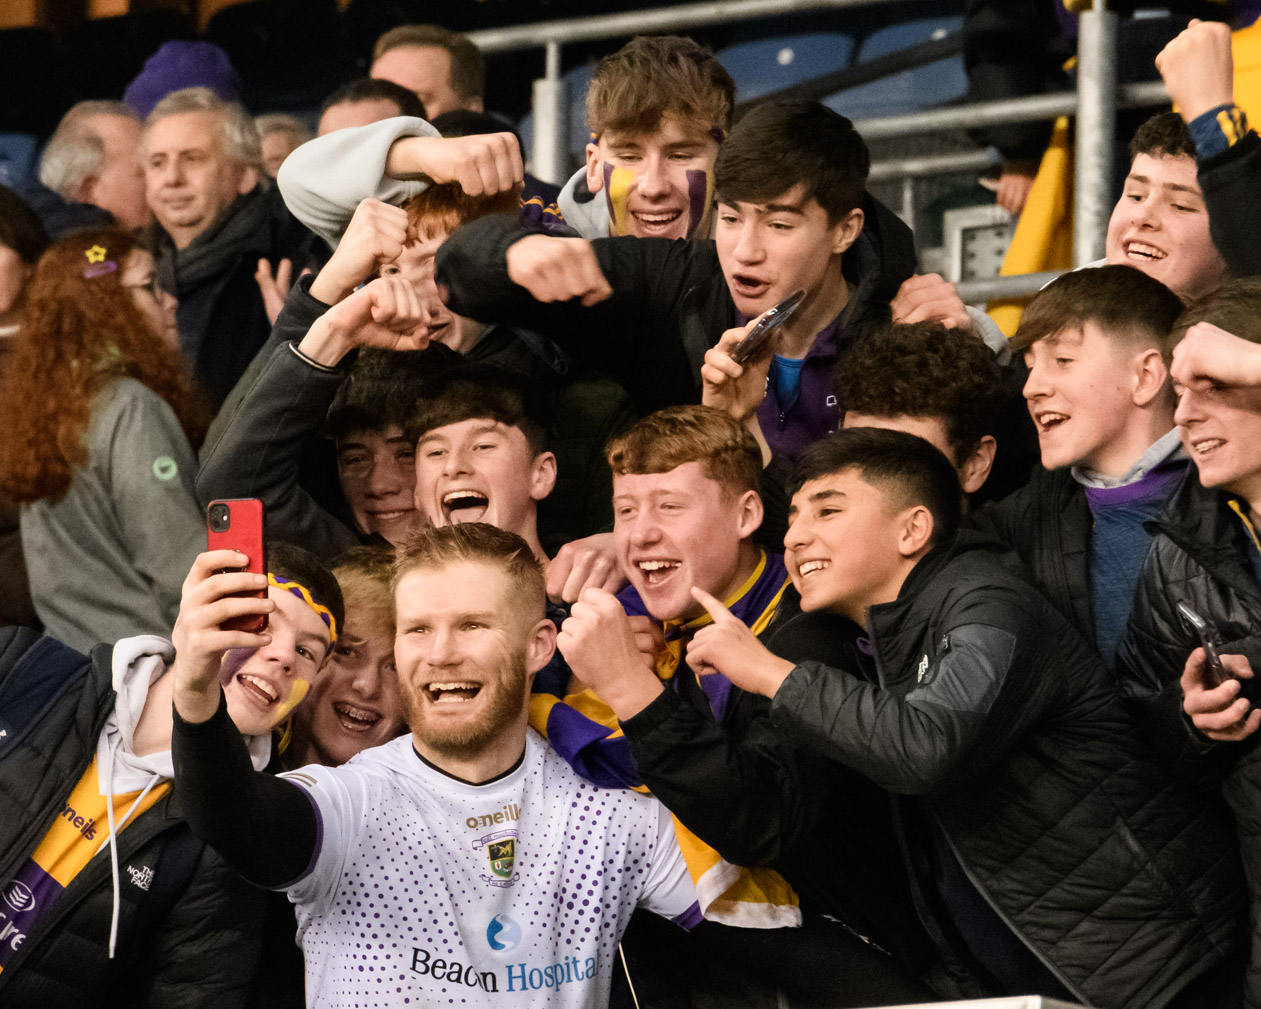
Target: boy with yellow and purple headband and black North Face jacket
88,767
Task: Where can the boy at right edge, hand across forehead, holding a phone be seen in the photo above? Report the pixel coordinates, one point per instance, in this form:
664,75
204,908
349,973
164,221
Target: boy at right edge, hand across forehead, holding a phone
1206,554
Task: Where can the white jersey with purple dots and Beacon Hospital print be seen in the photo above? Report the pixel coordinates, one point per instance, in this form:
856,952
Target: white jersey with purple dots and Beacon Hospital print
427,891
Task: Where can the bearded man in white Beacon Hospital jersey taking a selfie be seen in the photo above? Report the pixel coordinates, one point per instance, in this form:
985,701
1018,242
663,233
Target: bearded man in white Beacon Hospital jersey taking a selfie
472,814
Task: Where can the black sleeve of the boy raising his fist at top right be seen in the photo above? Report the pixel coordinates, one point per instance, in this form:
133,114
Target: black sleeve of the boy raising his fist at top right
1231,182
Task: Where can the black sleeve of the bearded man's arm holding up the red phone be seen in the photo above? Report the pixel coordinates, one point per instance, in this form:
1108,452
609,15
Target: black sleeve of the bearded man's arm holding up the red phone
265,828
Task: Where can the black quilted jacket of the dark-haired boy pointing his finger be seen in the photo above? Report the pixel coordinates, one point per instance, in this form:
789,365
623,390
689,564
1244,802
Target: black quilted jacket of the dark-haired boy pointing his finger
999,718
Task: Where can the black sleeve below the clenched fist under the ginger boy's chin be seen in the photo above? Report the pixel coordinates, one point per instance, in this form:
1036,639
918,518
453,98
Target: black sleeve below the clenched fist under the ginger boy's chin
745,798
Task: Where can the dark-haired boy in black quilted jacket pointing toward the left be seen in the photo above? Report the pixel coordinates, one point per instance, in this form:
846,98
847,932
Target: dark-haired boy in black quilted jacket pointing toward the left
1051,852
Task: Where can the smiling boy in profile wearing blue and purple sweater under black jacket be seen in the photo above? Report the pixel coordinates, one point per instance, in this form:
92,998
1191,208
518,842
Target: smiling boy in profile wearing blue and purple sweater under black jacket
1100,398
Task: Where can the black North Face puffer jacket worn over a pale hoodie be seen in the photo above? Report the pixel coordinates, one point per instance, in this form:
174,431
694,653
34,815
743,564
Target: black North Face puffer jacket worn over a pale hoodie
187,940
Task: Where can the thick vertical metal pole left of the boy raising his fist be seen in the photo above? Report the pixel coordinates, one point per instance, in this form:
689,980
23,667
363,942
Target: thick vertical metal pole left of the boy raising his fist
1096,131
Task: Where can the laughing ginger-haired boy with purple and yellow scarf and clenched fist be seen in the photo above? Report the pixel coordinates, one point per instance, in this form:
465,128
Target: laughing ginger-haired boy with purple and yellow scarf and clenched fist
687,508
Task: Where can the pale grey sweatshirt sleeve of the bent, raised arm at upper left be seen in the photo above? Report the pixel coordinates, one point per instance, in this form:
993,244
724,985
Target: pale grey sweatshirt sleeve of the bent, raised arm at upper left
328,177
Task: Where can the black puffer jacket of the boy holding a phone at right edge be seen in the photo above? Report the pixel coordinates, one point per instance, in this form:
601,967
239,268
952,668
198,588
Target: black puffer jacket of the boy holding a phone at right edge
1199,557
